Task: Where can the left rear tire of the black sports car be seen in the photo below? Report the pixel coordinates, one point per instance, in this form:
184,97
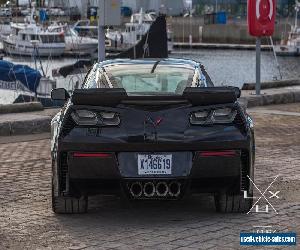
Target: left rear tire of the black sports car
69,205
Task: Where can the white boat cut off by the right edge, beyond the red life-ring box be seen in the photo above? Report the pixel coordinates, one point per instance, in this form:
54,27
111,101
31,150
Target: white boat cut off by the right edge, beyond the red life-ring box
291,46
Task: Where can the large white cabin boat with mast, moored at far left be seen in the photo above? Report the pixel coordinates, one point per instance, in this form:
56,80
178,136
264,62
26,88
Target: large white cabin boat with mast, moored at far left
29,38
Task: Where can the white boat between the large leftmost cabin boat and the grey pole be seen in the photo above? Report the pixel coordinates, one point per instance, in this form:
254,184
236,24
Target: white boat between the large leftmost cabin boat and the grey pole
74,43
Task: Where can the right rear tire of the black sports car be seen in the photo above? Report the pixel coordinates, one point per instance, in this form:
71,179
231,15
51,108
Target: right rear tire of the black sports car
232,203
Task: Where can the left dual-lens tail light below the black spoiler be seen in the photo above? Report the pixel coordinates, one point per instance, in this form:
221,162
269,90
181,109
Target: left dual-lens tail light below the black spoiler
92,118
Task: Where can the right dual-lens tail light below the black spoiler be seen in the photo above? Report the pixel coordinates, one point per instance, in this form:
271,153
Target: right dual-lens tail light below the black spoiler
219,115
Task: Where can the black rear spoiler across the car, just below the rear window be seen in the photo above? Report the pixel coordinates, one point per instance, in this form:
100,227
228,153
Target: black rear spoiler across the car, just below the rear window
196,96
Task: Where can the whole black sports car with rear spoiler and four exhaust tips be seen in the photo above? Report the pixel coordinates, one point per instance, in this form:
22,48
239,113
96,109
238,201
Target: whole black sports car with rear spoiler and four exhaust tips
151,129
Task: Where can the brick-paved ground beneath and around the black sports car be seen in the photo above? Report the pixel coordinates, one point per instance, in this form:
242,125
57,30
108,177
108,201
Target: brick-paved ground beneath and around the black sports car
27,222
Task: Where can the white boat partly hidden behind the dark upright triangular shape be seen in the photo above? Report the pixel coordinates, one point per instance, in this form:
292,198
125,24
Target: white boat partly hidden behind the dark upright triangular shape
134,30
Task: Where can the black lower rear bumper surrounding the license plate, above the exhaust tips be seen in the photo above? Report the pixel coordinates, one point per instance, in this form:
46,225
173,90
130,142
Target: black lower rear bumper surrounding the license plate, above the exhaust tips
200,167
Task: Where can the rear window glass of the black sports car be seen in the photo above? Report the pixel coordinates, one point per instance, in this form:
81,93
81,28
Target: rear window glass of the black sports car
154,78
